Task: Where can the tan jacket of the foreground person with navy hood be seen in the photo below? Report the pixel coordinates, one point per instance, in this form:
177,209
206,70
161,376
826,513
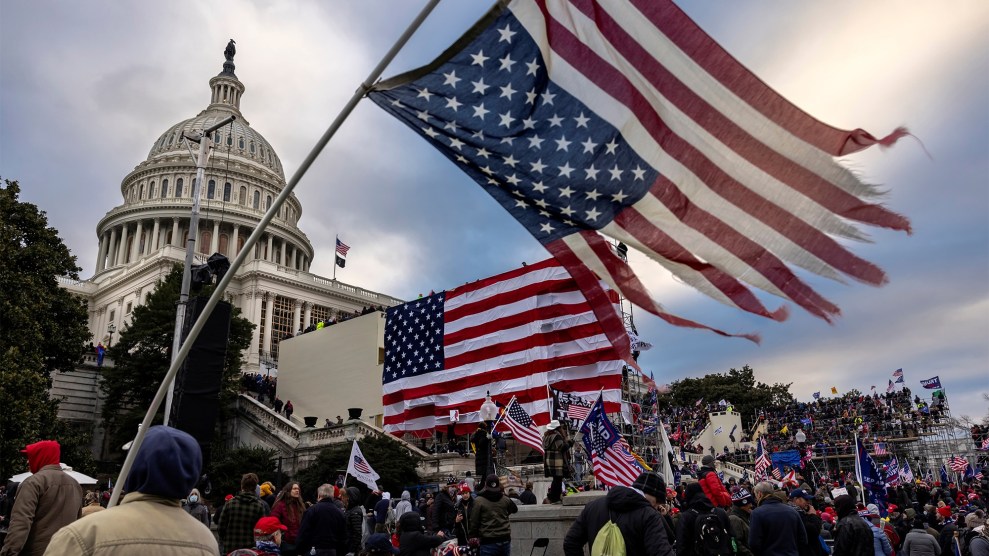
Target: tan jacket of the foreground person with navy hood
141,524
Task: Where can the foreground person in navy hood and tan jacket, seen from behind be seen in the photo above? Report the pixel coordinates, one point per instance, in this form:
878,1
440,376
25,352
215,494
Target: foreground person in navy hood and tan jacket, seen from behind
150,519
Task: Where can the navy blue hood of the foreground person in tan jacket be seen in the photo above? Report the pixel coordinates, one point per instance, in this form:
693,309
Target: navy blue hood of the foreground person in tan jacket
168,464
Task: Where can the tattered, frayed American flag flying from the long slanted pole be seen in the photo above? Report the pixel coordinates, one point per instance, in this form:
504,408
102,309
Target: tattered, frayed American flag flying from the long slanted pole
587,119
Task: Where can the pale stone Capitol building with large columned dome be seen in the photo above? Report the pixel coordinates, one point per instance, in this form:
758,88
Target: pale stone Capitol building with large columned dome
141,239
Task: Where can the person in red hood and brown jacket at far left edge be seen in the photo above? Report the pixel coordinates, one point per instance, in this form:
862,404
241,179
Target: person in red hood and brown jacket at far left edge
46,501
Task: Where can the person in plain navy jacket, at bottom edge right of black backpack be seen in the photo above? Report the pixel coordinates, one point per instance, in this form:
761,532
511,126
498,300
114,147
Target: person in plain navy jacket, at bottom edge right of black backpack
775,529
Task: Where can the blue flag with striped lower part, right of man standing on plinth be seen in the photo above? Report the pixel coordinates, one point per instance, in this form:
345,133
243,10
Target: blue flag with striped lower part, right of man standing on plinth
611,459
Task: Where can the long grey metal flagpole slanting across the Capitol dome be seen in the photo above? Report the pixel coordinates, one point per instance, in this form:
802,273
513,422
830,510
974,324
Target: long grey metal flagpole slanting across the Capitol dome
253,239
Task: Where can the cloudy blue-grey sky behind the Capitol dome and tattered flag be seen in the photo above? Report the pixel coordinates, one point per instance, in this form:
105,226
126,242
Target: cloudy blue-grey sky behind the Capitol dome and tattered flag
86,88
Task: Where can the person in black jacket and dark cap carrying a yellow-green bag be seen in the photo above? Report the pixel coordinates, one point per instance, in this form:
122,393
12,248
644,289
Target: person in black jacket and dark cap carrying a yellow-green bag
634,511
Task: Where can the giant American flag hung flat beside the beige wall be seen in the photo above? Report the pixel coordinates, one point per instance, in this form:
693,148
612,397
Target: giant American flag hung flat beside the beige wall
510,335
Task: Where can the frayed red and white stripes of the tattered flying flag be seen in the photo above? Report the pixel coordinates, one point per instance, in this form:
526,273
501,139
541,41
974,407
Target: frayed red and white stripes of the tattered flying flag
749,187
